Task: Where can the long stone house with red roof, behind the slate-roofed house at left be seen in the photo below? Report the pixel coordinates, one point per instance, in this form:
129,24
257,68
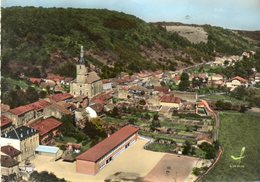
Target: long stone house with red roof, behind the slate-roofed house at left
26,114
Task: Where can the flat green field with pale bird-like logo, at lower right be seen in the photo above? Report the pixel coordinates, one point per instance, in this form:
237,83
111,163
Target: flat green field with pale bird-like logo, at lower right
237,131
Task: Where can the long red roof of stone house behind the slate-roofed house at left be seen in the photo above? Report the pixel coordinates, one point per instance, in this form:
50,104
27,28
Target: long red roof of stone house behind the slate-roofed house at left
41,104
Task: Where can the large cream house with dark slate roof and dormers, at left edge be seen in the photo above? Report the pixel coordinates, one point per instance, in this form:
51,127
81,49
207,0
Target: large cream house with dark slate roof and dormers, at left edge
24,139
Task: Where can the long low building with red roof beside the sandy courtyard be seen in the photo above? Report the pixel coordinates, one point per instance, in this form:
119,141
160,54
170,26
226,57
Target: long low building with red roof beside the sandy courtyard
100,155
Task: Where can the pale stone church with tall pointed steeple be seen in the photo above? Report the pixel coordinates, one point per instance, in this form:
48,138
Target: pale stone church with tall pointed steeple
87,82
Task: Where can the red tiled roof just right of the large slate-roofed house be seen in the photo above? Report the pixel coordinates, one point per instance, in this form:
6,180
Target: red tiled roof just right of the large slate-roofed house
45,126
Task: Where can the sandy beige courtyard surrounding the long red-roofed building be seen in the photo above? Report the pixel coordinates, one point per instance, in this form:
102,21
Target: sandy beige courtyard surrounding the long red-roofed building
134,163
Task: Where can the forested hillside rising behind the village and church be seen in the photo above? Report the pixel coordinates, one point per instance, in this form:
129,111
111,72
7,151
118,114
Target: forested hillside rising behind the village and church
40,40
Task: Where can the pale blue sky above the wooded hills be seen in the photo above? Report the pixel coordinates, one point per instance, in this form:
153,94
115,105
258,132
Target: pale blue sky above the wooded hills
233,14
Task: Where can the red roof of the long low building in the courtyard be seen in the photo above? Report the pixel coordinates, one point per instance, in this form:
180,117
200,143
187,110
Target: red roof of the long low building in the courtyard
108,144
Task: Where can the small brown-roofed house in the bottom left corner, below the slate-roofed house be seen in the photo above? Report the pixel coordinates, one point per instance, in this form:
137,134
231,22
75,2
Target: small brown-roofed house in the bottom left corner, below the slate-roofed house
8,165
